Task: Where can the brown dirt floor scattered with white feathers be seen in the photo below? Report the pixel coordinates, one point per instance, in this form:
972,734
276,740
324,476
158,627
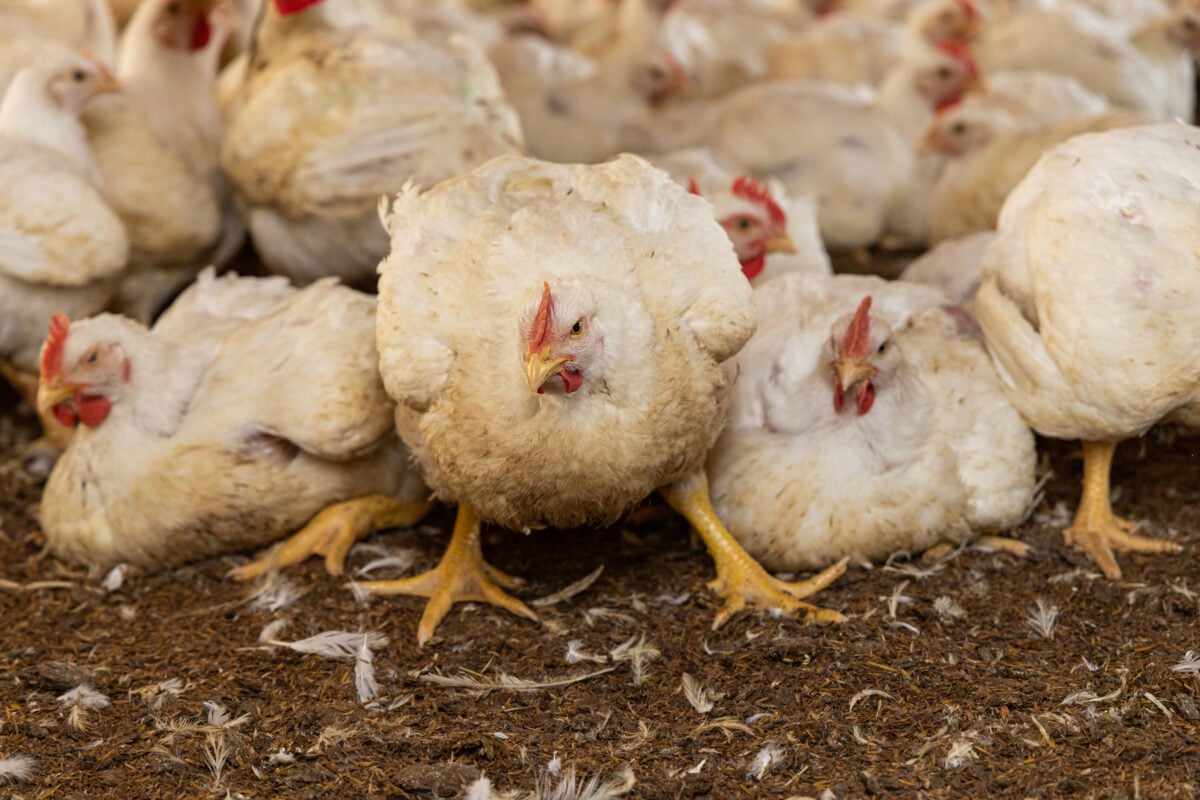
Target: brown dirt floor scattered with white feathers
947,682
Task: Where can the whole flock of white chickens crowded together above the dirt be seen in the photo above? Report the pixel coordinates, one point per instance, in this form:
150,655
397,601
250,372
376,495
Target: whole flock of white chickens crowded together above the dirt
563,328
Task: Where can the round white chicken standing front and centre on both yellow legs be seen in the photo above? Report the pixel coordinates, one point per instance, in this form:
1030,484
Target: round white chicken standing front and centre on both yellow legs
548,378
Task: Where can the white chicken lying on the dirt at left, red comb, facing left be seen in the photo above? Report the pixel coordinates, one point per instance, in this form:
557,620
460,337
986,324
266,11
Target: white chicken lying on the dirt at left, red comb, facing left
250,410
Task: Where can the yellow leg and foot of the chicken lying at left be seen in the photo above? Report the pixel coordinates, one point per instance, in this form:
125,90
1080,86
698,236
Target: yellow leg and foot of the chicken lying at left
333,533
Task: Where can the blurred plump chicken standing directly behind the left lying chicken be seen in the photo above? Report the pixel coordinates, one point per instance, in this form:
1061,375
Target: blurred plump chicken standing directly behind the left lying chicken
332,118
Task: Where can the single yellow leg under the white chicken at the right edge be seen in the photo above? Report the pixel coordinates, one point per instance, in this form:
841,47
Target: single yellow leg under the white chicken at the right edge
1096,530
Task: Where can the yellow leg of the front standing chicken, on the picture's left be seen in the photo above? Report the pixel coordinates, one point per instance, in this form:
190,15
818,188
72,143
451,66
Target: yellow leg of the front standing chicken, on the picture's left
463,576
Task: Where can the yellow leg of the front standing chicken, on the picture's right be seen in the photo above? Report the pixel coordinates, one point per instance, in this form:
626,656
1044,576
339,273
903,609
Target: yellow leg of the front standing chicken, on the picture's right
740,579
